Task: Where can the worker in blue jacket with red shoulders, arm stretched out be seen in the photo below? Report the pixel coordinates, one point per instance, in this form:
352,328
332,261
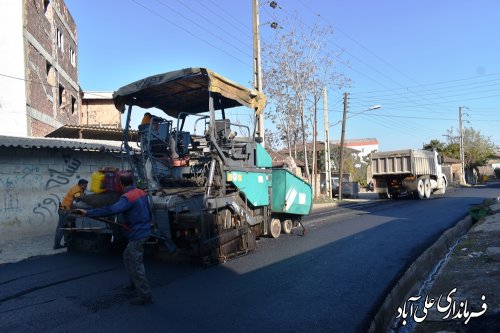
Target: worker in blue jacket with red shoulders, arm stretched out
134,206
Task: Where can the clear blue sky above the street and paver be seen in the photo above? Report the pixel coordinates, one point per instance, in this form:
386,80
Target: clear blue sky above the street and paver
420,59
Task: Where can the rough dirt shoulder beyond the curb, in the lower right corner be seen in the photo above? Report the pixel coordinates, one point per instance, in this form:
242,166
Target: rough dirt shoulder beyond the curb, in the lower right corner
468,282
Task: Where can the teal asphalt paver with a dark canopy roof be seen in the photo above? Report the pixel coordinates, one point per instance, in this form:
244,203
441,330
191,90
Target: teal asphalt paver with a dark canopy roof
212,188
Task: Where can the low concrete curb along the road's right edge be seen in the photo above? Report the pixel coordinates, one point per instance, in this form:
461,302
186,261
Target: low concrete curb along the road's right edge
416,274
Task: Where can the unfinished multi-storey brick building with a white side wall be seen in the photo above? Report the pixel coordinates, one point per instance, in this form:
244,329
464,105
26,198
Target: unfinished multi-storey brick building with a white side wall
39,89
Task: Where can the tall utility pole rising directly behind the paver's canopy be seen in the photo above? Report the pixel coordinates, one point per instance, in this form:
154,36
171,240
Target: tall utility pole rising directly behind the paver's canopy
257,68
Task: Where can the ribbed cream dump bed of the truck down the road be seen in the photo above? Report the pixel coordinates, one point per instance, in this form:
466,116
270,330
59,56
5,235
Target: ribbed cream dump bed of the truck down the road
401,162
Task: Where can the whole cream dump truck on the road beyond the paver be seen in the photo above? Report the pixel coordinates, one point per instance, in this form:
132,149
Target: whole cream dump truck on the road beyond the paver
412,172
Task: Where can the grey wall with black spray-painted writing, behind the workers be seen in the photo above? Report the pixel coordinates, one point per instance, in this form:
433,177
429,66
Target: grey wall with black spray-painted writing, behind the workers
34,180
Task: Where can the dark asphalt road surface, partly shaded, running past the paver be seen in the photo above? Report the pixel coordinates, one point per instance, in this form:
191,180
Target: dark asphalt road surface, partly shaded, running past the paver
331,280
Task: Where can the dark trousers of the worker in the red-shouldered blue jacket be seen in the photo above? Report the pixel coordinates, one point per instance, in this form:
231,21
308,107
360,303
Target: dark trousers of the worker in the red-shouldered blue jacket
133,260
